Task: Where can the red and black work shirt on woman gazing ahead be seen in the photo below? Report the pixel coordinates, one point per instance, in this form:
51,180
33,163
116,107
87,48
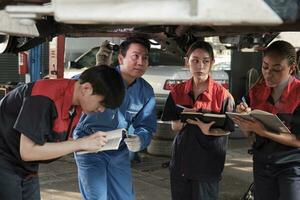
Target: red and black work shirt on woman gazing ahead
195,155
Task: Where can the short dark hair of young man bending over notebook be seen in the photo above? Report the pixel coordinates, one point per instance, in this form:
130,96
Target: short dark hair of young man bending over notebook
106,81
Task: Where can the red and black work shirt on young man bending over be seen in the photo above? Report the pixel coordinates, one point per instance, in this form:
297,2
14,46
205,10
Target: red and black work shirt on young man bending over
40,111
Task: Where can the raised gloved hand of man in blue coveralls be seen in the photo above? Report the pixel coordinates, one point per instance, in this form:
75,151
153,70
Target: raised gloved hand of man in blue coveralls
104,55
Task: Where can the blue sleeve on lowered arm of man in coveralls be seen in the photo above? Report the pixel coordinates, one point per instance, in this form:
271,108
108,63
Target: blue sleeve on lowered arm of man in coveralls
144,123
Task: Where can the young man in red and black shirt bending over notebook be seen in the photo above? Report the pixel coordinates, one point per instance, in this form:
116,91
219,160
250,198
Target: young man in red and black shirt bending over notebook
37,118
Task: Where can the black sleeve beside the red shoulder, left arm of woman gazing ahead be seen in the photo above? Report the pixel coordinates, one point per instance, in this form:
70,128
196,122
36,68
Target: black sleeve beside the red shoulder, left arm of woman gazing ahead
170,112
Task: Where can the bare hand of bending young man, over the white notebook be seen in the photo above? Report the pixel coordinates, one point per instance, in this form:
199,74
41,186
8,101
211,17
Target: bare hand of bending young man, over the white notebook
93,142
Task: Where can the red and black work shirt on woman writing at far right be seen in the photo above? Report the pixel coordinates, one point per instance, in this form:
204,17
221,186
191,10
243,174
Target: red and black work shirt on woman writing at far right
287,109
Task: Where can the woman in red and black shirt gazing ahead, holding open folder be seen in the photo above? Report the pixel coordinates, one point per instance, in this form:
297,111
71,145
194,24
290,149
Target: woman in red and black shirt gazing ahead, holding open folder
199,149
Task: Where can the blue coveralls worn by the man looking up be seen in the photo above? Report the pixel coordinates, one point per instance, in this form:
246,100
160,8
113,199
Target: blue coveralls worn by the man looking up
107,175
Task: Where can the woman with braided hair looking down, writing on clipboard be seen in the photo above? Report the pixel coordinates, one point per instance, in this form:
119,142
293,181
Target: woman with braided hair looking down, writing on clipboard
276,156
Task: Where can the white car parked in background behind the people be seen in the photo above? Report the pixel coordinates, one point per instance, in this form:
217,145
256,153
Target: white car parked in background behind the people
158,76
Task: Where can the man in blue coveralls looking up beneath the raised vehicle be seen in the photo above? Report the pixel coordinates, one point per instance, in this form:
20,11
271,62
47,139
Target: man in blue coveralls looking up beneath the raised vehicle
107,175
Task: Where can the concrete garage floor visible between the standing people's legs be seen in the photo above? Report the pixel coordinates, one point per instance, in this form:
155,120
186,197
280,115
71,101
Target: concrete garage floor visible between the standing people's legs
59,179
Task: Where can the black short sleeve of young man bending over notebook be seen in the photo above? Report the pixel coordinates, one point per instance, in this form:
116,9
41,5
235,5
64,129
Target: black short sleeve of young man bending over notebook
36,117
